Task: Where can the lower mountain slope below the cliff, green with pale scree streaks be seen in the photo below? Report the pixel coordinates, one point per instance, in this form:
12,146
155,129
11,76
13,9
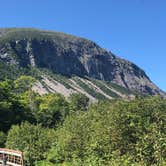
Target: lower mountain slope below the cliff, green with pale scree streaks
49,82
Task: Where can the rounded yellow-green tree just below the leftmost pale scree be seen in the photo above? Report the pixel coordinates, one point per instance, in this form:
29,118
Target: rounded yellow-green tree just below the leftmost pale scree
51,109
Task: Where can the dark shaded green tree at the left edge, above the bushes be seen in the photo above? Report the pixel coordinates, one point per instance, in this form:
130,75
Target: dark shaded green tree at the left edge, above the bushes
12,109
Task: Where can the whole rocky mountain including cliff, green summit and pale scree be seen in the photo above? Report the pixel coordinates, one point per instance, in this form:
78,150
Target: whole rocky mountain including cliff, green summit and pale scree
79,65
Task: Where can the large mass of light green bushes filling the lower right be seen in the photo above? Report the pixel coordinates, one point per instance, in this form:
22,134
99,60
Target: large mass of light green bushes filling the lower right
115,133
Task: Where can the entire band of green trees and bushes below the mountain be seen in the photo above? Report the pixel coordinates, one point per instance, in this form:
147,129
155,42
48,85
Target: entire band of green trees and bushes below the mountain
52,130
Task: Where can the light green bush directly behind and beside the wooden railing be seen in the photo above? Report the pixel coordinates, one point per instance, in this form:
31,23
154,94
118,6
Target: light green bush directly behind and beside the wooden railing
34,141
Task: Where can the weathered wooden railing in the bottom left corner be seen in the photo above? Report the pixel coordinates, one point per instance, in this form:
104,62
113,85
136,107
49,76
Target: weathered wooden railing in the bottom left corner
10,157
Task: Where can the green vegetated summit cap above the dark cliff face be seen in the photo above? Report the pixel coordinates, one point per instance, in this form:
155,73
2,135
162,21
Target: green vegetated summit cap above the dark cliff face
14,34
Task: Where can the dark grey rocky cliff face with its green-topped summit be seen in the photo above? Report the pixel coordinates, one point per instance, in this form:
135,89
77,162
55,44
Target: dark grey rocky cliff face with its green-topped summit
71,56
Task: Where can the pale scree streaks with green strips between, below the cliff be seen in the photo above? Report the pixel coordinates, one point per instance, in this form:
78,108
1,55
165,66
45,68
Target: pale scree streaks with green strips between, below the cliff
92,88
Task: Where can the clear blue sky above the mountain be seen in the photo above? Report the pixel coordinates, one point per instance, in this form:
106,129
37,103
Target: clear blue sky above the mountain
132,29
